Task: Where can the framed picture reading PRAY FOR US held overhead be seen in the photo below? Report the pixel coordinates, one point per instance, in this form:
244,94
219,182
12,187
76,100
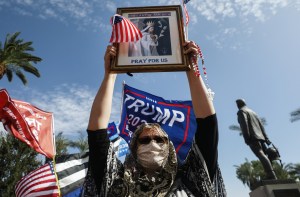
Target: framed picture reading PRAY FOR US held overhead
160,48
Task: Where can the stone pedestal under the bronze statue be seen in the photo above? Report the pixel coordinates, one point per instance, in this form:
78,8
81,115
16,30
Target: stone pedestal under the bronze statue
276,188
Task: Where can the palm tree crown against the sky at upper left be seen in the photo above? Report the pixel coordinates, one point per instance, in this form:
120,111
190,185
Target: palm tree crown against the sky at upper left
15,57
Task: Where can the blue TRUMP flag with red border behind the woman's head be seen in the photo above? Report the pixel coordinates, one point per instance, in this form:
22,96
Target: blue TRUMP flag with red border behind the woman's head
175,117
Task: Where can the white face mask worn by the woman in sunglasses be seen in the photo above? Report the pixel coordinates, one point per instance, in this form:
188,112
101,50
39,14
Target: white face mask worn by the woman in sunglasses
153,155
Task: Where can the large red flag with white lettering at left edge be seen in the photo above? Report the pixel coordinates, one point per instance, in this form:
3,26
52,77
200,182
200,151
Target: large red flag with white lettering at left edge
27,123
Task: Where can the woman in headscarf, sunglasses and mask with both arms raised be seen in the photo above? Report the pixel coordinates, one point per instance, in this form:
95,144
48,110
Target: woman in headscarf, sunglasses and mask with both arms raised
151,168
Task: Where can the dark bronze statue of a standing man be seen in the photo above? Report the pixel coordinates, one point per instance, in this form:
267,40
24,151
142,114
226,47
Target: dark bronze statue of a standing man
255,135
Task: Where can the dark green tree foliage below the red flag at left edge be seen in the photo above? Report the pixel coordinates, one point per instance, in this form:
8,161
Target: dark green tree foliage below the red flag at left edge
16,160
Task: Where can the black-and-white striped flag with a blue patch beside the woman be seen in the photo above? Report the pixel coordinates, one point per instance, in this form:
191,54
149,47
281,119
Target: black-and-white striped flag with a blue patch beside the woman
71,171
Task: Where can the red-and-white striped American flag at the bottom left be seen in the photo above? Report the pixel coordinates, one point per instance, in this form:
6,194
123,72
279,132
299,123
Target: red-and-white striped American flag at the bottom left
40,182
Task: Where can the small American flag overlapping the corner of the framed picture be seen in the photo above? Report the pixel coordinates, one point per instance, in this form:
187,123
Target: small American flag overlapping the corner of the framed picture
124,30
